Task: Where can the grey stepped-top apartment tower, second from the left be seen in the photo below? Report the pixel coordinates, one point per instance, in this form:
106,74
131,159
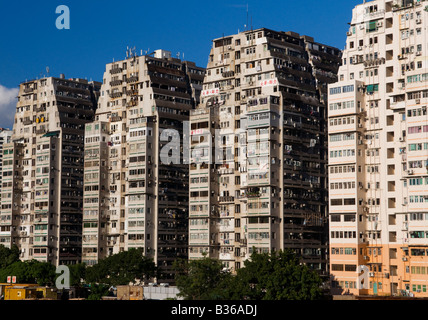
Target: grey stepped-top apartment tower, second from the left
133,197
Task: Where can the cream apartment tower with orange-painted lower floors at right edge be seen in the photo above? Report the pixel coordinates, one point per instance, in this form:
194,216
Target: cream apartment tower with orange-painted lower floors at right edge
378,153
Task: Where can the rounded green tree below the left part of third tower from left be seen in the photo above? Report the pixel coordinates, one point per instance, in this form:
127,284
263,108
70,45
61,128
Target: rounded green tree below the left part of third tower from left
202,279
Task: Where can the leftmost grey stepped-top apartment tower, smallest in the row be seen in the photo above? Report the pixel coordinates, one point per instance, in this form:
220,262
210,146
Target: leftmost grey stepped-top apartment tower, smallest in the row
42,169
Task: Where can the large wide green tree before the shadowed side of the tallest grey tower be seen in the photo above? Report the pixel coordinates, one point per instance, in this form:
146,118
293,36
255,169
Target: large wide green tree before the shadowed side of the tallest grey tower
276,276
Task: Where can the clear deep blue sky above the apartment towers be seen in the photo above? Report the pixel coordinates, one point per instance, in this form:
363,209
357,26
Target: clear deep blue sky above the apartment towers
100,31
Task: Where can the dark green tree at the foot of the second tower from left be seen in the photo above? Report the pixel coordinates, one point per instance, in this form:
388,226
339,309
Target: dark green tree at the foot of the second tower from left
121,268
